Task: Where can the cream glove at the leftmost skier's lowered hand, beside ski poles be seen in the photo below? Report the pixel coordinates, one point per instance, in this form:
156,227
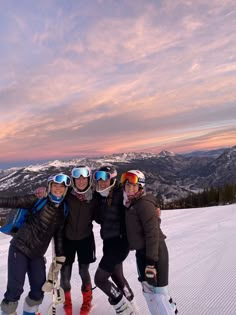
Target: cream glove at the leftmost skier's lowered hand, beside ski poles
53,273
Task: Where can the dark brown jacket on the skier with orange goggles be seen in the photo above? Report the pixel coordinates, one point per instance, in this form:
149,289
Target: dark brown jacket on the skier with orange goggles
143,227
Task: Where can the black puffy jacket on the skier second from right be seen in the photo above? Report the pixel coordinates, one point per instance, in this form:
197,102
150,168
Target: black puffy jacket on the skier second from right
110,214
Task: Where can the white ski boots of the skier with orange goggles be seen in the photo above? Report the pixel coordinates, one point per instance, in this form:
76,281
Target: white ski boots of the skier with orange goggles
158,300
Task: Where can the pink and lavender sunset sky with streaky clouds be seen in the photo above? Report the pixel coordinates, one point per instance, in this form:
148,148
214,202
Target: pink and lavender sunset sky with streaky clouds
90,78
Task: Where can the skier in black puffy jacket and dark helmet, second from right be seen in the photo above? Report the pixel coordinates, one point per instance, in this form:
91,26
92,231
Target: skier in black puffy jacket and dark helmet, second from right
110,215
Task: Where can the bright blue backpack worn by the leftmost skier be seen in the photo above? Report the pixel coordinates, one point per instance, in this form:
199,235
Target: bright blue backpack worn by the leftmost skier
17,217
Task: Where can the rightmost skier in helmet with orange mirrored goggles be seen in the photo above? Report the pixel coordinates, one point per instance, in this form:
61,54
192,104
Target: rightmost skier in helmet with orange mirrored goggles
146,237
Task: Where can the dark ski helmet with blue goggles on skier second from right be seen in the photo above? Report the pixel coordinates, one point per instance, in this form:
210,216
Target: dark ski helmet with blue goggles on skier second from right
104,173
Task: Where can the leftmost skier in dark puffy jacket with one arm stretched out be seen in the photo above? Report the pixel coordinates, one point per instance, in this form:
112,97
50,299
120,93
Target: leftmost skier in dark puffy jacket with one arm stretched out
30,243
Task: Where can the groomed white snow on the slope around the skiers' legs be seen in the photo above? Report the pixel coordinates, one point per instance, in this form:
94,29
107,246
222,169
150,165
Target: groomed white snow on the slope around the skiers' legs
202,276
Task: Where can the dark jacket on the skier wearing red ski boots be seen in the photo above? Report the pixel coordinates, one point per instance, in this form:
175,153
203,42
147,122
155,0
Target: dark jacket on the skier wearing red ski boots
79,221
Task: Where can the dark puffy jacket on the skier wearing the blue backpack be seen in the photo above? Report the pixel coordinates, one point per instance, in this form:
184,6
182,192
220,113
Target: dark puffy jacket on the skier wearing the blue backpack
35,234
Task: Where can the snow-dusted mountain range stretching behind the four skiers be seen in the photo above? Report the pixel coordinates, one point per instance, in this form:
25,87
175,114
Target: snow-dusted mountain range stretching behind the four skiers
168,174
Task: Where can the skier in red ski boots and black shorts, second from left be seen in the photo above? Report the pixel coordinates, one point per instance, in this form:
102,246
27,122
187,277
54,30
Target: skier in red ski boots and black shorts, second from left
78,237
